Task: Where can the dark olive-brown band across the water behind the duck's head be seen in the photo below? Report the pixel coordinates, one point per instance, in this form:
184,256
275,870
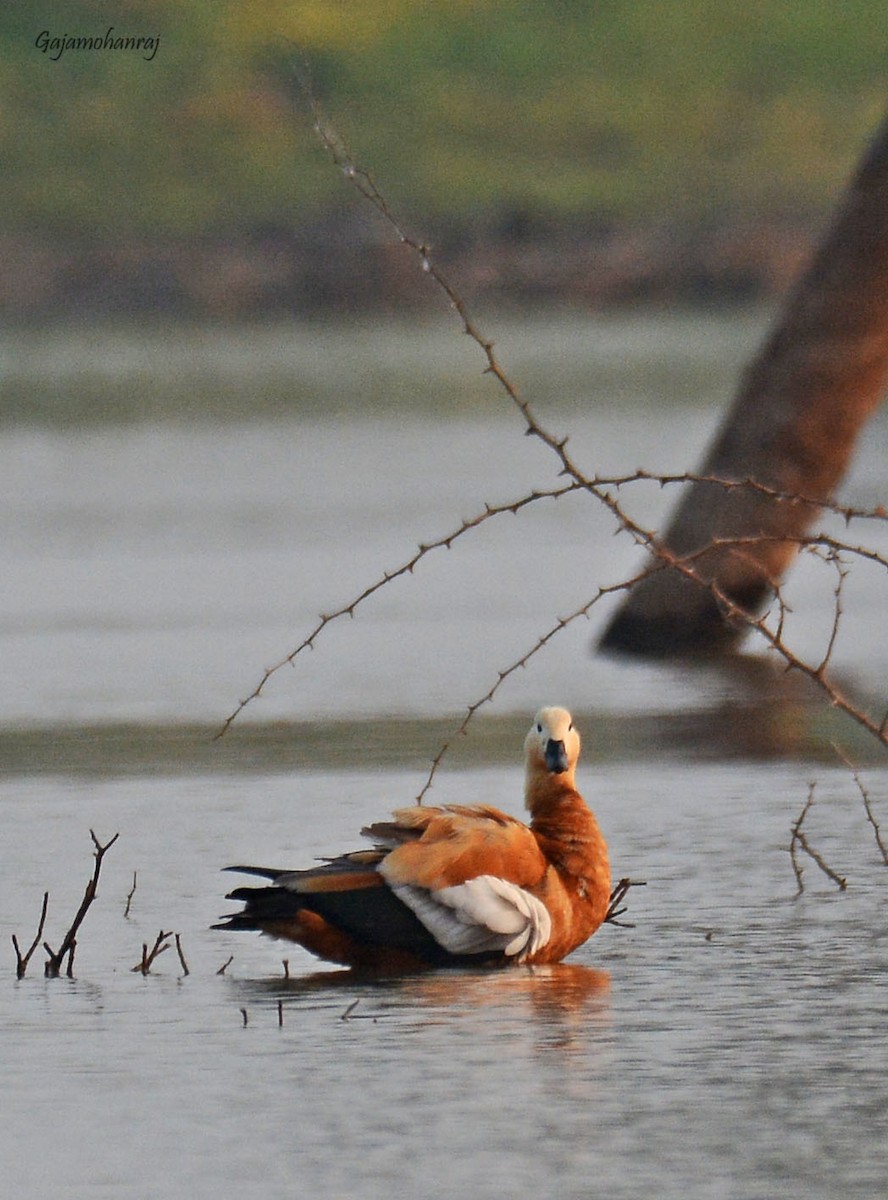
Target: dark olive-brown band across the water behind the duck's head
797,731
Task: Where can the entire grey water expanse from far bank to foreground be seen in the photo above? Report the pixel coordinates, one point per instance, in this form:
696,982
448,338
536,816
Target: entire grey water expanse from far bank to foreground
177,508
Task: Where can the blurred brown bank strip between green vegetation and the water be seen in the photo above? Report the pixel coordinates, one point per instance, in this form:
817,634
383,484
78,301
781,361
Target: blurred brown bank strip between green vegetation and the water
347,267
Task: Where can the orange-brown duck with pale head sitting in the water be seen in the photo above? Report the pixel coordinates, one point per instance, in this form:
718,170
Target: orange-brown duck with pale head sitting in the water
453,885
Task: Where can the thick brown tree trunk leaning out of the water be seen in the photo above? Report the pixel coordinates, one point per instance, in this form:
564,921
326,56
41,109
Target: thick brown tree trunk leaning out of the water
793,428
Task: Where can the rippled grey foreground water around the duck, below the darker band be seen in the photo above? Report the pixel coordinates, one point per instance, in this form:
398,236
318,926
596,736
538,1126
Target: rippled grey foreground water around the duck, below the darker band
731,1045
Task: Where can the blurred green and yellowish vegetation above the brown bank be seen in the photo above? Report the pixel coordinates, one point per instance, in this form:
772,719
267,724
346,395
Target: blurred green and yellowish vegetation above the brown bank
472,112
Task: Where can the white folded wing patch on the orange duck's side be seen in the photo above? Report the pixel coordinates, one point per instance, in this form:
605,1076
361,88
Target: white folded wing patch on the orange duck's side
482,916
